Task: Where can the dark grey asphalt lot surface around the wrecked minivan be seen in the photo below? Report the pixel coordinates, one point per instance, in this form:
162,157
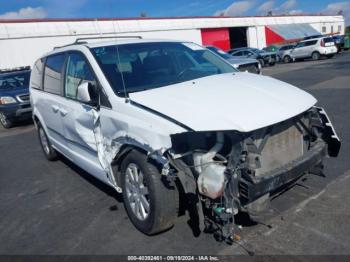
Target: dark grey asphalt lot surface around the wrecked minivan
56,208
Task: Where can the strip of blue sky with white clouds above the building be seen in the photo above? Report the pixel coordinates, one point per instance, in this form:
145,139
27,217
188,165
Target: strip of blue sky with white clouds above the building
17,9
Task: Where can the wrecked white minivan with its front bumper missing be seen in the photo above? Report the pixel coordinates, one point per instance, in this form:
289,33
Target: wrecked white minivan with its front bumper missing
162,120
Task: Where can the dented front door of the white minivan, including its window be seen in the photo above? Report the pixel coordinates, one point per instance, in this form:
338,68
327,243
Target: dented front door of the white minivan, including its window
79,118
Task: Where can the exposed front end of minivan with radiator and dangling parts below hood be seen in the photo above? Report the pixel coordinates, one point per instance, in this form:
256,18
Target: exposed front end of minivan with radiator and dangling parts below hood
231,171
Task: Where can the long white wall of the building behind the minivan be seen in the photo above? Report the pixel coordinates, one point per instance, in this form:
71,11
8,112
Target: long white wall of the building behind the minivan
21,43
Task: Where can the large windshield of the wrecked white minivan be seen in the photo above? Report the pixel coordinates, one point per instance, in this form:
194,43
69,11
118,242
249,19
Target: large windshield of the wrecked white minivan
144,66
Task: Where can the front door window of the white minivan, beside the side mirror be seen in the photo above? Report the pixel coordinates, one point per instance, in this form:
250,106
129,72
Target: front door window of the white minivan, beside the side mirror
77,73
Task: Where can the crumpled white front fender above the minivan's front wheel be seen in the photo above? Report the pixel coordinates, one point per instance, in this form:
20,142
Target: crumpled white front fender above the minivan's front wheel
129,125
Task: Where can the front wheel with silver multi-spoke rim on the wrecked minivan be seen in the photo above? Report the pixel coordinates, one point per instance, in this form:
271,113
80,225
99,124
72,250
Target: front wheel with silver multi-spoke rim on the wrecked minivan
159,201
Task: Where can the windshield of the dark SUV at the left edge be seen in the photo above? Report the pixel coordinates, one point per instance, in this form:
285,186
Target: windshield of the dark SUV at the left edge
14,80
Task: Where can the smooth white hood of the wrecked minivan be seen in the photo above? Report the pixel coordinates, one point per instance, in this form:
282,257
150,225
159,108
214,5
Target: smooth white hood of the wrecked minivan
233,101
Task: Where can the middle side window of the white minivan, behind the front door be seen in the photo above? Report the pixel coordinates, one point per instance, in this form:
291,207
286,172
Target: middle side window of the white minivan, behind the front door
53,74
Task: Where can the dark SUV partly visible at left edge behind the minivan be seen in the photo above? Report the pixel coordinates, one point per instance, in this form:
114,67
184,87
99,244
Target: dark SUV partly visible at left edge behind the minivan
14,96
